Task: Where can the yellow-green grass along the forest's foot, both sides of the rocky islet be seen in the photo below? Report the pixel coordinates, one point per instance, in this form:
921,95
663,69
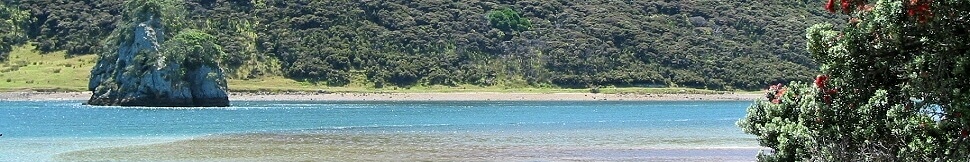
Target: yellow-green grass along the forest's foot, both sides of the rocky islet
28,70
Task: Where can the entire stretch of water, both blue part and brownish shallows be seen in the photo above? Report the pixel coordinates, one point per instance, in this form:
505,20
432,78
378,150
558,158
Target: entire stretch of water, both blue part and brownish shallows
518,131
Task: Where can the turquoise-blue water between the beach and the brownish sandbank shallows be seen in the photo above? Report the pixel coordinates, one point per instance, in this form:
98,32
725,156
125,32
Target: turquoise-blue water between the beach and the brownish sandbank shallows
37,131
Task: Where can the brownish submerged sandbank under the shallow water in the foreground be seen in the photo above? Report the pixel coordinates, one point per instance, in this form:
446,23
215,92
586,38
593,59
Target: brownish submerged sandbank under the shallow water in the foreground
395,147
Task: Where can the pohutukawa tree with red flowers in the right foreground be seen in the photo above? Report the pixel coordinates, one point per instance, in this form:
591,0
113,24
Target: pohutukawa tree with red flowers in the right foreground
893,87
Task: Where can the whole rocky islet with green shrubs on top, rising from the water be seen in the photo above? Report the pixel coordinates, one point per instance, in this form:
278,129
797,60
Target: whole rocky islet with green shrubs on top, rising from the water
147,69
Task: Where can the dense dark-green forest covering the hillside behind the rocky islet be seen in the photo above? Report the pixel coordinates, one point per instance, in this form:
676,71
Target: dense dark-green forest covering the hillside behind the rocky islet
533,43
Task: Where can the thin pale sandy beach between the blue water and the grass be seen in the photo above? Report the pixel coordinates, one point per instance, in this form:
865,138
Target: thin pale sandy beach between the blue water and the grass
477,96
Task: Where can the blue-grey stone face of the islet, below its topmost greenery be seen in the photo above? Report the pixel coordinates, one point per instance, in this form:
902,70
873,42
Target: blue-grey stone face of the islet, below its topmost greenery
139,74
